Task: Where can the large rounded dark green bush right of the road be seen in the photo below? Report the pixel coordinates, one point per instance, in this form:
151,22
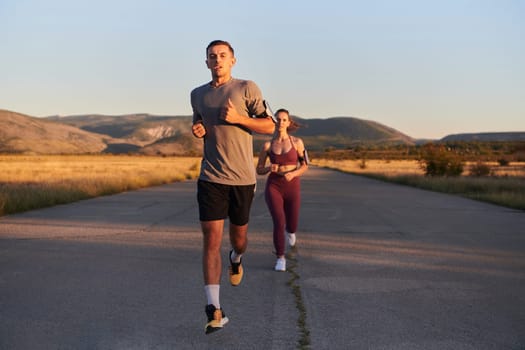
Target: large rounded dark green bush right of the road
436,160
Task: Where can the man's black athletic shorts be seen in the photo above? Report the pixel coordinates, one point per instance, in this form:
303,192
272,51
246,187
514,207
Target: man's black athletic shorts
218,202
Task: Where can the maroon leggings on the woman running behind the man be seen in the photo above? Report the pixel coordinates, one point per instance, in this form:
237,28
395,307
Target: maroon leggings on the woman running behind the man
283,199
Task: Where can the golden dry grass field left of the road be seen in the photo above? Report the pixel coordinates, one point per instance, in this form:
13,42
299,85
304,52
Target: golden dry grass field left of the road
29,182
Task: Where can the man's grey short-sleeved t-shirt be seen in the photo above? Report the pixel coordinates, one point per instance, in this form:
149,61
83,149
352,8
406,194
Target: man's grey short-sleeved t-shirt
228,148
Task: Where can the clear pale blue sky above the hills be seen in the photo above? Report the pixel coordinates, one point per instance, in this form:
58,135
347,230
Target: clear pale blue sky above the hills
425,68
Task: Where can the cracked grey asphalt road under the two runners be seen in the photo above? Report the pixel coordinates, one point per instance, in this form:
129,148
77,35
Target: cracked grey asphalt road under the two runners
377,266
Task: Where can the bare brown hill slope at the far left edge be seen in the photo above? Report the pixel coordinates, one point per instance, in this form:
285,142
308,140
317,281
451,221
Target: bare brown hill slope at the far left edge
21,133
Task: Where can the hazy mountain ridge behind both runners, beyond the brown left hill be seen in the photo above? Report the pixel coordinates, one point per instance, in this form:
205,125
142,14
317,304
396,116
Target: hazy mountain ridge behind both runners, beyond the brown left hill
161,134
